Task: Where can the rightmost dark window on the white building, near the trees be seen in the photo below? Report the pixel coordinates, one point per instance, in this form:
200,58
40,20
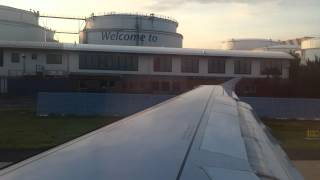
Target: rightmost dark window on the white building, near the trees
271,67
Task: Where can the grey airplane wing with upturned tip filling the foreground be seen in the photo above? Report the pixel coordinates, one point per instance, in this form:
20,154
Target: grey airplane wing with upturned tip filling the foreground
204,134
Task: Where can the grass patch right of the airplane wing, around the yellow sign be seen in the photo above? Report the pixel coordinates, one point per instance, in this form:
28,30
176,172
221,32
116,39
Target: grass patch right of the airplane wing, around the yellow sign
292,133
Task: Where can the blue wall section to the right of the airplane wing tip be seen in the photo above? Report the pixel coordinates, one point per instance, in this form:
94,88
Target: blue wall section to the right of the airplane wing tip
295,108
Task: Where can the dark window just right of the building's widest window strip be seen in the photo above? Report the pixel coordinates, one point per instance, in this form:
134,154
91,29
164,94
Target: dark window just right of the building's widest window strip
162,64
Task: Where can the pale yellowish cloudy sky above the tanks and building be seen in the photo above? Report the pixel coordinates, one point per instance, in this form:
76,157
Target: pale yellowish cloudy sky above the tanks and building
203,23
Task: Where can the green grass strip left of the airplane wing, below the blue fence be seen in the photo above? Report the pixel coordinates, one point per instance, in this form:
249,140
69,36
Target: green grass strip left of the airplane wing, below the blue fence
22,129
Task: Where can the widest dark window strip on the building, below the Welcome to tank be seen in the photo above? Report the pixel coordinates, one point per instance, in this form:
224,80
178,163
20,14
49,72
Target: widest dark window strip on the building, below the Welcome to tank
116,62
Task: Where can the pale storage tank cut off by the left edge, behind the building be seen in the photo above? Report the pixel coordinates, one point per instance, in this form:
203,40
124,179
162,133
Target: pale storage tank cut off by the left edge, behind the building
21,25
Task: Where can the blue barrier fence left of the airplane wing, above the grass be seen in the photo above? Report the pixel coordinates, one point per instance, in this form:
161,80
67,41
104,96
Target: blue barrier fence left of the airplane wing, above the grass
106,104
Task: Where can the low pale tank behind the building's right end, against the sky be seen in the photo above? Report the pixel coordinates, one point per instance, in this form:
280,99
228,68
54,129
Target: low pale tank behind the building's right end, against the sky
248,44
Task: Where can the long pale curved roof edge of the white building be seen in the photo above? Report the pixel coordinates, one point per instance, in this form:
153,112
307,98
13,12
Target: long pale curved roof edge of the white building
143,50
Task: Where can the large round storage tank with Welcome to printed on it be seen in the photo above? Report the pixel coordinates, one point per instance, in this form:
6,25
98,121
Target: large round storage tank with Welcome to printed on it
131,30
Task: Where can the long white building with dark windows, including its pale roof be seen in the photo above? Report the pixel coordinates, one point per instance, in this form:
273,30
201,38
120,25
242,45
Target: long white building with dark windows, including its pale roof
135,69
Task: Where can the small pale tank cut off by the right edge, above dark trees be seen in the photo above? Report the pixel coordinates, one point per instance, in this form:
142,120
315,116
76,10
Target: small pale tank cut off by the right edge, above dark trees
310,49
